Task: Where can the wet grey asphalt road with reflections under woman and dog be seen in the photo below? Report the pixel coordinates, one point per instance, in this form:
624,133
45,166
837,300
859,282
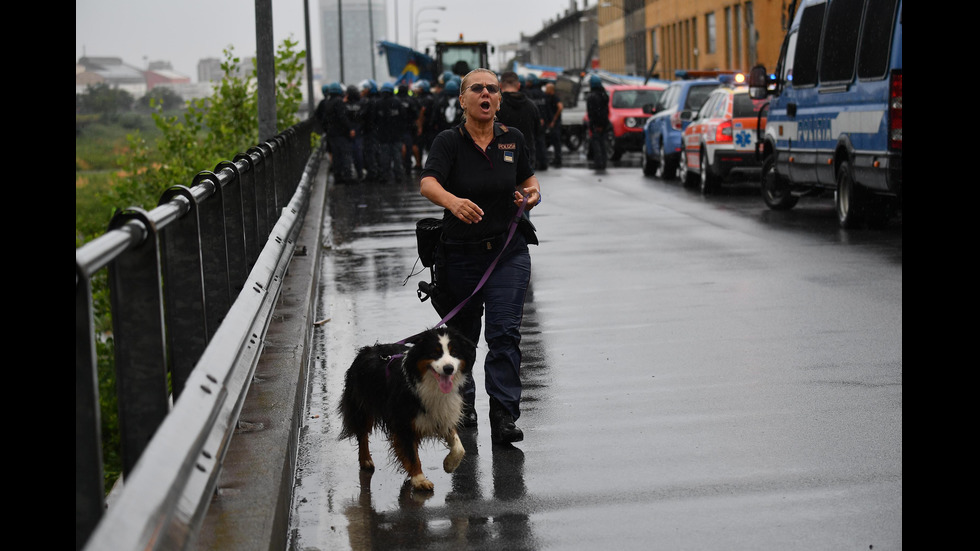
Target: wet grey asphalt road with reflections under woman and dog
700,373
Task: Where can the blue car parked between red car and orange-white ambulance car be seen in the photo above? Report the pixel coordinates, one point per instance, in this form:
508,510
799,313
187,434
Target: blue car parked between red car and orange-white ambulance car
662,132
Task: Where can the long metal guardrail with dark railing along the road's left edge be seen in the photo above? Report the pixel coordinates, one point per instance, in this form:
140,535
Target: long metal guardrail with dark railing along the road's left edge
174,275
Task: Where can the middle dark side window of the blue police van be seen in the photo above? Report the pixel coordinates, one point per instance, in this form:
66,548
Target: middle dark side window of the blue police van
840,41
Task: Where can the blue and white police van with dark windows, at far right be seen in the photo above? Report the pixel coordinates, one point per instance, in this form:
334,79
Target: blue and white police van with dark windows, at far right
834,122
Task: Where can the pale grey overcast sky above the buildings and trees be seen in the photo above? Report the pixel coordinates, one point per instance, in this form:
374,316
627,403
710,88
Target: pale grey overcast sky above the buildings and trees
185,31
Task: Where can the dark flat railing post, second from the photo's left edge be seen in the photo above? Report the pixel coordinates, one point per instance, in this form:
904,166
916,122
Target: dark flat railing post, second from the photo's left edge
138,336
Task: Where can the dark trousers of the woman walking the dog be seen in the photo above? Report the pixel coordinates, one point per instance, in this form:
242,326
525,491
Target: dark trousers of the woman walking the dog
502,300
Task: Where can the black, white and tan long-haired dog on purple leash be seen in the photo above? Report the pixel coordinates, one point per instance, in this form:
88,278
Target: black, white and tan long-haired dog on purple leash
410,392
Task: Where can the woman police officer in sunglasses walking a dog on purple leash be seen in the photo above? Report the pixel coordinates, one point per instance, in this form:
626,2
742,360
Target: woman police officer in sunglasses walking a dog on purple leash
479,171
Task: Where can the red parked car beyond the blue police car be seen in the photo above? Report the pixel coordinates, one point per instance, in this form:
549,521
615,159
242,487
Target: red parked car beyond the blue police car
626,115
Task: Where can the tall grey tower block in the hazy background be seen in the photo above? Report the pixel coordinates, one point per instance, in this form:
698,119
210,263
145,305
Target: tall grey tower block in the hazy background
349,33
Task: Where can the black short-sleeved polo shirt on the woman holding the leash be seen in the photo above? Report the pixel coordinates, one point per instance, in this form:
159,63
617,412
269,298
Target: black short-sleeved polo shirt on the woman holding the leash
486,177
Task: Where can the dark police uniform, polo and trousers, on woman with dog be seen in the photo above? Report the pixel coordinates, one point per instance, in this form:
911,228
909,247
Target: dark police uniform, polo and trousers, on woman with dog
488,177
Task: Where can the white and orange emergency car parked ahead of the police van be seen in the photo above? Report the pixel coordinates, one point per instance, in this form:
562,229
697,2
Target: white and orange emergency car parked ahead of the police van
719,144
